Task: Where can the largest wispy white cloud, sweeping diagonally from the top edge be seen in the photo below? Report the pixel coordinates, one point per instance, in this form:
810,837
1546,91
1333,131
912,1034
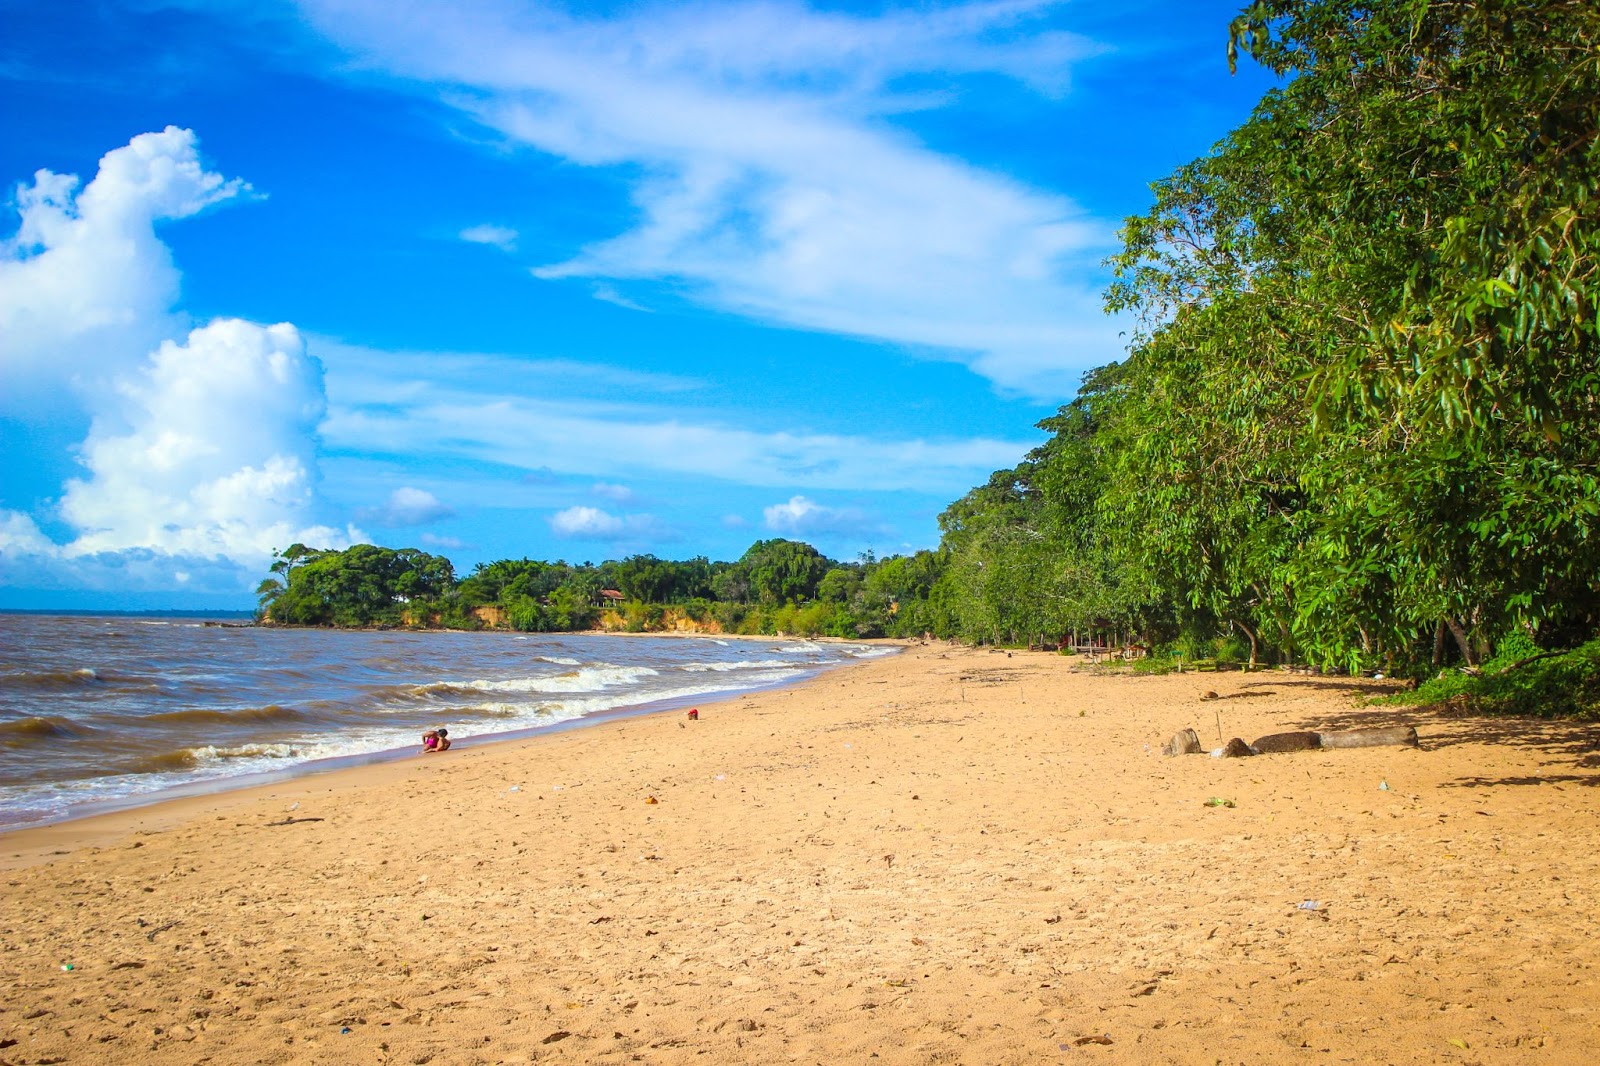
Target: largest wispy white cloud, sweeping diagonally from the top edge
767,170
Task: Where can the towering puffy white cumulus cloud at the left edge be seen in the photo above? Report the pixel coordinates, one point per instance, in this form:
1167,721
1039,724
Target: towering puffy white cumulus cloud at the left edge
202,451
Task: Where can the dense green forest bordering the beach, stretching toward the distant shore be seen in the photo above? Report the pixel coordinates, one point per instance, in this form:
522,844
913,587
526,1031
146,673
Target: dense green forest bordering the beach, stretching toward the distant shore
1359,419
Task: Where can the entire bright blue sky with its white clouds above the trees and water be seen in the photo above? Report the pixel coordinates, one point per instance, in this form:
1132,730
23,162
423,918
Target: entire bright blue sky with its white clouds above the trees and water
508,279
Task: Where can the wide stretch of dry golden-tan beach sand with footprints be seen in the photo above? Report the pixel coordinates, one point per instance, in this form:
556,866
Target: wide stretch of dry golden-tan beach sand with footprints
945,857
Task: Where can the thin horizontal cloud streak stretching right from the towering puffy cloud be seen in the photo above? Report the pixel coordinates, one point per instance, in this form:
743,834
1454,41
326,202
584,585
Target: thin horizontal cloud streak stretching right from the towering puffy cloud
546,419
